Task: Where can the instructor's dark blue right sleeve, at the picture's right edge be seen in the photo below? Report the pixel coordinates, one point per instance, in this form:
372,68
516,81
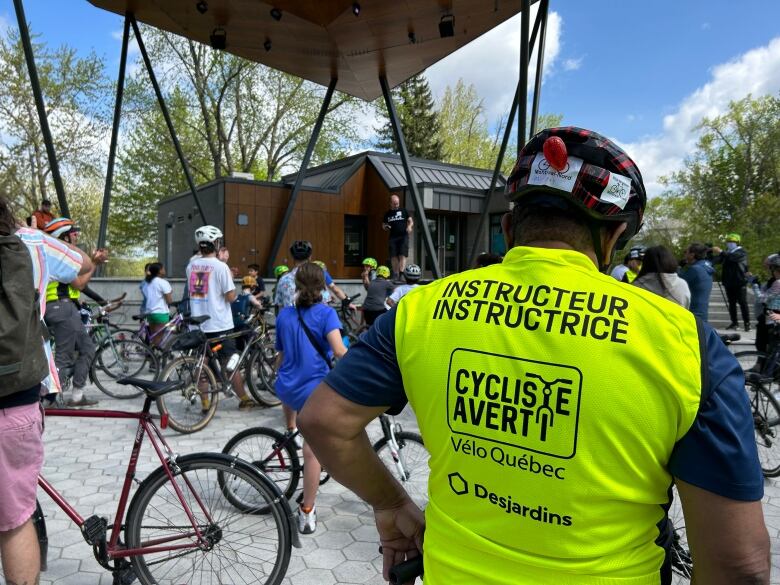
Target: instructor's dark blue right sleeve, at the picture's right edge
718,453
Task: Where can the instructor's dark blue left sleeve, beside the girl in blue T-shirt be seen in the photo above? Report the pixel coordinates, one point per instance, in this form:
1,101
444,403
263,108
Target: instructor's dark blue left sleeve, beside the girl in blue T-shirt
369,374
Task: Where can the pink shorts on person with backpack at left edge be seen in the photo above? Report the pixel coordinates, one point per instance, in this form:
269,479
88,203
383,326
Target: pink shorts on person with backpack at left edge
21,459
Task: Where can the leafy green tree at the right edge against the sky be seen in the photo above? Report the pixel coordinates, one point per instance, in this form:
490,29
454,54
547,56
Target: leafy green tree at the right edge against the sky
731,183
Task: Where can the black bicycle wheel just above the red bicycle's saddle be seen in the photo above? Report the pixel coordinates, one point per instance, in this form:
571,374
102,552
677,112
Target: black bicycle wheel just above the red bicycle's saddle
128,358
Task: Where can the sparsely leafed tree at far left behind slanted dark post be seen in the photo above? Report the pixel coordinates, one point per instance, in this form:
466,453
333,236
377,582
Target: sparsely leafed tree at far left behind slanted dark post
76,94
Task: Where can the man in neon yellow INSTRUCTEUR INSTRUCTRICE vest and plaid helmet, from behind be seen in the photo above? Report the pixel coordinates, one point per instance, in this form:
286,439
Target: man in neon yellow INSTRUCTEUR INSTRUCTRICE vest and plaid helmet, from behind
558,405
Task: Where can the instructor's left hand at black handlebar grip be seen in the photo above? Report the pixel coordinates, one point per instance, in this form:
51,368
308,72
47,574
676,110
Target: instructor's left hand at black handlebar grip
401,531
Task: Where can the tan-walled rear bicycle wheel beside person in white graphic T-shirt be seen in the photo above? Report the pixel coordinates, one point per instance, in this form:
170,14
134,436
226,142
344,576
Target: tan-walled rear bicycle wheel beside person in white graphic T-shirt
184,407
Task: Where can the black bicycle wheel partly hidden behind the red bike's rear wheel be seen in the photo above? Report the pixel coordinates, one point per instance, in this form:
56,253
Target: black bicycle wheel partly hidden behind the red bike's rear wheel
270,452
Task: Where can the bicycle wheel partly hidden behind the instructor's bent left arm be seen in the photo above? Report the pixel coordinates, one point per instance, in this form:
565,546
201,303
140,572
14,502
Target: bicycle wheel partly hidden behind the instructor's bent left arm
414,458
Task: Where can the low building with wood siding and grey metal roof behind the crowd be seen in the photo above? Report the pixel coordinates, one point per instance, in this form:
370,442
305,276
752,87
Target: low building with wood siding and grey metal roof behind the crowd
340,211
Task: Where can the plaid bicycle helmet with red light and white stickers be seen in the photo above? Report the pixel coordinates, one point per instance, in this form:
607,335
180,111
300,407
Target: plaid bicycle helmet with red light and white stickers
574,168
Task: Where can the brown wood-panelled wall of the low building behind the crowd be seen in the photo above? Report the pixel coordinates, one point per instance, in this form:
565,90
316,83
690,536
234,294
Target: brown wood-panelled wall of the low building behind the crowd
318,217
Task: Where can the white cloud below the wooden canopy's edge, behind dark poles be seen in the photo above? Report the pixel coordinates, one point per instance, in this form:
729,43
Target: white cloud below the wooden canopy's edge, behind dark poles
492,63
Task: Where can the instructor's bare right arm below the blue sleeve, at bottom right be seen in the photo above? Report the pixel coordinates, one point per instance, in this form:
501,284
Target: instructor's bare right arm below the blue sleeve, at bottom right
728,539
